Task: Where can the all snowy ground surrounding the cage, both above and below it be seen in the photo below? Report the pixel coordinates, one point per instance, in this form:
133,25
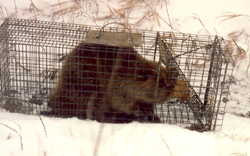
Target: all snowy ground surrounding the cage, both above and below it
57,136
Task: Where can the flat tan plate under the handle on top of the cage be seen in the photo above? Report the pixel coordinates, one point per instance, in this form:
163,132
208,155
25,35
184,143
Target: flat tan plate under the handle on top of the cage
114,38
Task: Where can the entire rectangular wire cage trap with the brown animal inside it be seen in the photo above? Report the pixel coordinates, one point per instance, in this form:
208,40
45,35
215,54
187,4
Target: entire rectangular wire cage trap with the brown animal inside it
113,74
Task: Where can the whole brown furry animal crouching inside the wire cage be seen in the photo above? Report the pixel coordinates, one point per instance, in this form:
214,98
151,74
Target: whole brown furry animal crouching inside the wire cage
110,84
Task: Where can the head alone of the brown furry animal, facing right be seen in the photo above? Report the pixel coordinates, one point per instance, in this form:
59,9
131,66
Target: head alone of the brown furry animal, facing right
148,83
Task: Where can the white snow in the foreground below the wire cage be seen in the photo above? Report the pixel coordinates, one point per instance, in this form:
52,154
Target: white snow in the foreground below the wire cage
81,137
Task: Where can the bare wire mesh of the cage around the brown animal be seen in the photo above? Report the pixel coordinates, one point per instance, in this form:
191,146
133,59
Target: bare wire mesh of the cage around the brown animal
32,53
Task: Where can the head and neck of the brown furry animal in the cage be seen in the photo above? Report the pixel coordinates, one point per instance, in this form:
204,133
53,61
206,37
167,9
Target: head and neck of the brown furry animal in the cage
139,79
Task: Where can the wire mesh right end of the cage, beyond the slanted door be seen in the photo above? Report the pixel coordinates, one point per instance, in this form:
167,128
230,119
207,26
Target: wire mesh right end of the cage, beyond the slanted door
206,66
